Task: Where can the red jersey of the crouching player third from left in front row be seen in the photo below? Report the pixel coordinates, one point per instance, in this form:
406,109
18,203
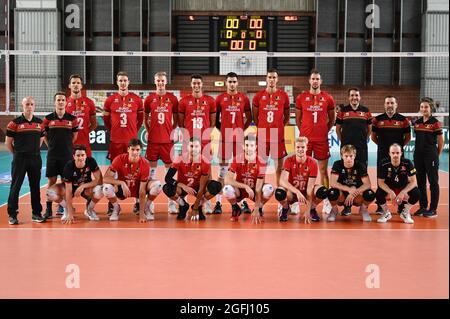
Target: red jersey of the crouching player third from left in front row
189,173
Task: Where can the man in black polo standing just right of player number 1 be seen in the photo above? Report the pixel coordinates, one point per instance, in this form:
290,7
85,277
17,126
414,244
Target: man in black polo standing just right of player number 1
353,127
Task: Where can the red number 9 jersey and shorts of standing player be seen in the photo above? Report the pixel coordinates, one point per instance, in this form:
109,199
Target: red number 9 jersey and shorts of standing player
161,109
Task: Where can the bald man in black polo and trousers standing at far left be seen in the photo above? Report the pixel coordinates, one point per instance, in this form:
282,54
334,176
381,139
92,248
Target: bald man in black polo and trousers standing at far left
24,136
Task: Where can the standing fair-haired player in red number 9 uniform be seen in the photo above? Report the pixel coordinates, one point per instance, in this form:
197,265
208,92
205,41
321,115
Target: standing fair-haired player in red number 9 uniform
161,117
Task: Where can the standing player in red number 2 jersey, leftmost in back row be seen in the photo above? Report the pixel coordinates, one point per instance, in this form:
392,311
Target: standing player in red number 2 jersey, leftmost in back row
83,108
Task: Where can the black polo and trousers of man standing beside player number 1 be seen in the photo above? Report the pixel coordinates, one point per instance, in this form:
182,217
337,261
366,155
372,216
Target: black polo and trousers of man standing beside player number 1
354,127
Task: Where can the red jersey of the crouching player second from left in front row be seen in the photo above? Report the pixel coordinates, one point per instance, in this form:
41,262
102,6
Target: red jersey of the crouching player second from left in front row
131,173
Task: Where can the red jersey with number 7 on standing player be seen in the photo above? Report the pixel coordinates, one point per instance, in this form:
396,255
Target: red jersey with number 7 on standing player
232,109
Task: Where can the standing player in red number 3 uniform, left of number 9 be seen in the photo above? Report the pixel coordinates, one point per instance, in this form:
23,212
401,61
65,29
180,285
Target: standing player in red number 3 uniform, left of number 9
123,114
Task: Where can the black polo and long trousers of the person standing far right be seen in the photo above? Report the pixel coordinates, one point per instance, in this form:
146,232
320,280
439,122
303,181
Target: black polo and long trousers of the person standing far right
426,159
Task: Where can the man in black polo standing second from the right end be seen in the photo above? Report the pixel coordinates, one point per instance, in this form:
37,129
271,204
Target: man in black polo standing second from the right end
389,128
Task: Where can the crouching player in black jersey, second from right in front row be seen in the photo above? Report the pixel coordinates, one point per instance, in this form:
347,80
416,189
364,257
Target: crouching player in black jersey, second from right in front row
350,184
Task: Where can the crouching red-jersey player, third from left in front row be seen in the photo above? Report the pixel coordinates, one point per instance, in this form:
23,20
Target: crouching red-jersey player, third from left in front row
193,172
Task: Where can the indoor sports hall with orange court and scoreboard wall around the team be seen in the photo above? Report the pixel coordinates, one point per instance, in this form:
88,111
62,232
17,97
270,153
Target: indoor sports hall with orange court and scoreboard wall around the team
384,48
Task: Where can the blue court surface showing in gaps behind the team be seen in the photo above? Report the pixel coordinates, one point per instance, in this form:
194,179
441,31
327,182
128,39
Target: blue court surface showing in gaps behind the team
100,156
